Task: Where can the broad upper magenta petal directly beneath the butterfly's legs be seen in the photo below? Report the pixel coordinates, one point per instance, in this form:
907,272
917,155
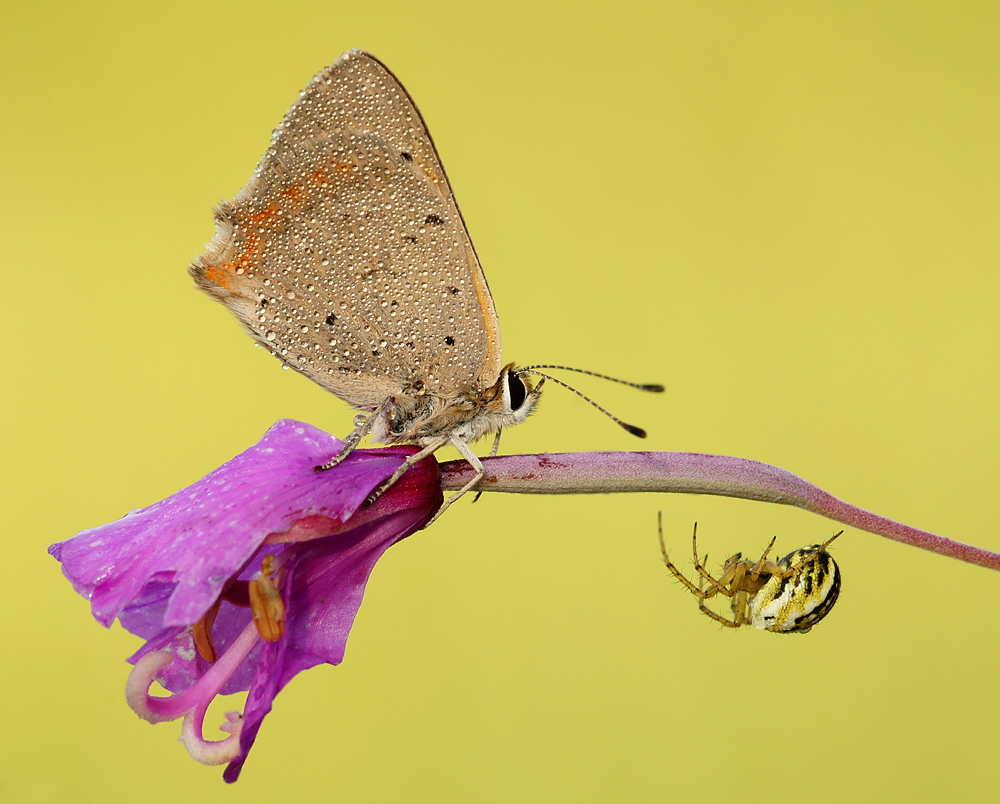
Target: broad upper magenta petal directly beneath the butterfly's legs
201,536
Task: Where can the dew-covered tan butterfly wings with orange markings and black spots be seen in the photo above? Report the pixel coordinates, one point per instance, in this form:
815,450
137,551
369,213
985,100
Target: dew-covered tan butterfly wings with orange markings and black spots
346,255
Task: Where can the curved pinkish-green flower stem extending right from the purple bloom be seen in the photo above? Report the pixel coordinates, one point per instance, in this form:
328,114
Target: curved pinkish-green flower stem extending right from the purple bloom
692,473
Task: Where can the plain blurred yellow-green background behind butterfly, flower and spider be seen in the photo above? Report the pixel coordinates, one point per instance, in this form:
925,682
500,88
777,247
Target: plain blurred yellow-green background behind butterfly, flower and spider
787,212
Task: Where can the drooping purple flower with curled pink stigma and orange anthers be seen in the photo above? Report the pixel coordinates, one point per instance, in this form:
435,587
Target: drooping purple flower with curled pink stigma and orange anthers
247,577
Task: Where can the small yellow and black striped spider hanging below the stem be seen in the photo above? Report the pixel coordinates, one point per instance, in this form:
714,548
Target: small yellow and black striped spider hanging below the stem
787,597
